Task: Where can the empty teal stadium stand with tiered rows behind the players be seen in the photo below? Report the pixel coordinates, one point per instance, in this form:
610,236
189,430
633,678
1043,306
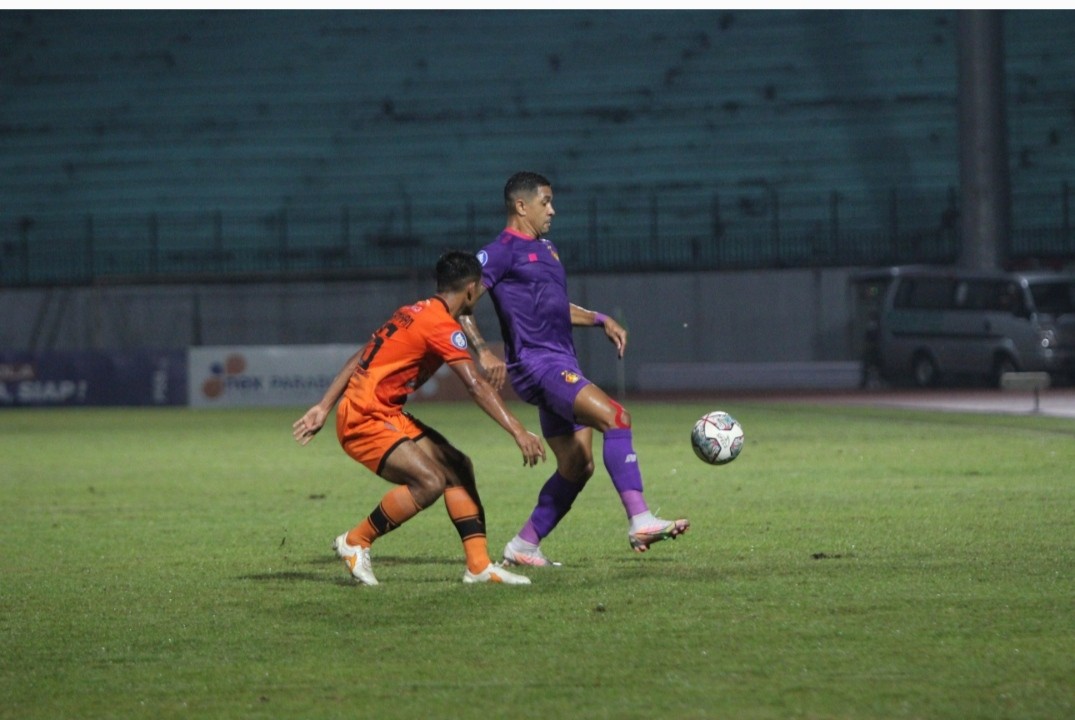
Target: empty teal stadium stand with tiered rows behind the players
160,143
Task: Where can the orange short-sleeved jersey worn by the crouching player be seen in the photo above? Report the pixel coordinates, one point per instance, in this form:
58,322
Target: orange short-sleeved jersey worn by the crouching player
403,355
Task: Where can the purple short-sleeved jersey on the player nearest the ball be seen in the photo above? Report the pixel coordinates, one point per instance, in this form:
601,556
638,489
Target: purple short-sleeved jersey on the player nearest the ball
529,290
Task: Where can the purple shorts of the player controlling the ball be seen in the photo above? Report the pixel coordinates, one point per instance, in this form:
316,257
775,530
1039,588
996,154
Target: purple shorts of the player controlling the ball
553,387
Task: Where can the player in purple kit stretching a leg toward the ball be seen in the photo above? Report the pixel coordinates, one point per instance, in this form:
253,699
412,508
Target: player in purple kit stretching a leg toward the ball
528,285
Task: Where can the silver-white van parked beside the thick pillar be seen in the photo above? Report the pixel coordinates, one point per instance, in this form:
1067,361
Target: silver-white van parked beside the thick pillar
944,323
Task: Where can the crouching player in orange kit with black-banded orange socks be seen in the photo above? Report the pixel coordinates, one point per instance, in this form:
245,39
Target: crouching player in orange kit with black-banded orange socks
376,430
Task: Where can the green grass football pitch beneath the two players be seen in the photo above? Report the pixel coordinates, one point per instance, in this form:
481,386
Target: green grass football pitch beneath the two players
852,564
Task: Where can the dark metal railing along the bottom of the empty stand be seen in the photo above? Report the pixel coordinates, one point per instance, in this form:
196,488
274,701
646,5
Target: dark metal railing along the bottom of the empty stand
630,229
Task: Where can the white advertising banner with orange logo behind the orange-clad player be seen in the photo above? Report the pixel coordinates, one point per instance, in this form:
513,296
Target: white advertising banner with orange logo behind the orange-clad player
270,376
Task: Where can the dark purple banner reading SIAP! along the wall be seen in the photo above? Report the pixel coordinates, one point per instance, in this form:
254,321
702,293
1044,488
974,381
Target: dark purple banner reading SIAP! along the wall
31,380
